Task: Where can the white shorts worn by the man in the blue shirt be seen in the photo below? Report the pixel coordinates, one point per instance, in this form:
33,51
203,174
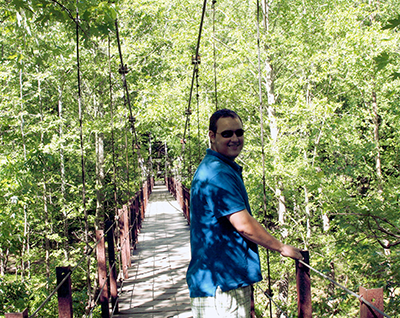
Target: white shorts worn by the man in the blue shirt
235,303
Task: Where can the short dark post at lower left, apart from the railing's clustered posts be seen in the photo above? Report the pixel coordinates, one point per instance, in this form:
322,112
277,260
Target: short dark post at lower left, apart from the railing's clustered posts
64,293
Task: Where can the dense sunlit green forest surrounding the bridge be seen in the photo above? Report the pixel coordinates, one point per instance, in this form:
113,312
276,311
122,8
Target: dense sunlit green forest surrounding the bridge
96,96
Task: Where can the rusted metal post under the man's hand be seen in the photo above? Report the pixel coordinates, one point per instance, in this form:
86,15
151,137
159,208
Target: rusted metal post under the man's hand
304,307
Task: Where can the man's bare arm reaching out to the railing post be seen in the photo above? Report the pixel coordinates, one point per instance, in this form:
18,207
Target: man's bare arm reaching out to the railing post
249,228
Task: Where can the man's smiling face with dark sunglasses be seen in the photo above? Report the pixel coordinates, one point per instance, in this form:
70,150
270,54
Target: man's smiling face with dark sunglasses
230,146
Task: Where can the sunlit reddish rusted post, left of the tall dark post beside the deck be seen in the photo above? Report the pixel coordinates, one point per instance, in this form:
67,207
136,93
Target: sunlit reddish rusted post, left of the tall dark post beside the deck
102,274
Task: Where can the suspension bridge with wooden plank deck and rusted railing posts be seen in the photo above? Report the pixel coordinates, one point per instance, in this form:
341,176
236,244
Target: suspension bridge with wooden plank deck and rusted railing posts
154,253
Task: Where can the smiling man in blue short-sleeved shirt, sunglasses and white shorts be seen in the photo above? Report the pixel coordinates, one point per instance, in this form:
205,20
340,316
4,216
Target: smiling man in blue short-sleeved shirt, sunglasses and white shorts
223,234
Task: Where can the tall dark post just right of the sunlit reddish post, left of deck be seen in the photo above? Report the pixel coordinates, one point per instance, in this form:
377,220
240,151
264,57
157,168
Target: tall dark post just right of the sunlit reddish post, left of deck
112,266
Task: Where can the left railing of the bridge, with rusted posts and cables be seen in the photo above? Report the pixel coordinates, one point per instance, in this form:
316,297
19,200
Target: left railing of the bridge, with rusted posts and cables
128,222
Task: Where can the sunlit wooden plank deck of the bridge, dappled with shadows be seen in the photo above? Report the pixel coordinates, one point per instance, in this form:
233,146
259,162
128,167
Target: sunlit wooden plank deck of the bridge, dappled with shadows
156,287
